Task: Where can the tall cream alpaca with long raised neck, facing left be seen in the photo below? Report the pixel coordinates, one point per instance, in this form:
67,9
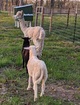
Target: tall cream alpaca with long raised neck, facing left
37,33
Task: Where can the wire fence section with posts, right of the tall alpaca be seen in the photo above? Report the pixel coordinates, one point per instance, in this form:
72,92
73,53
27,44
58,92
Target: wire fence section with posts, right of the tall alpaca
67,25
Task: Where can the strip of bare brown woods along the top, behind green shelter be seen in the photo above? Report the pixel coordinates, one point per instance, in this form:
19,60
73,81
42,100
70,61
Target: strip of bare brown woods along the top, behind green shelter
5,4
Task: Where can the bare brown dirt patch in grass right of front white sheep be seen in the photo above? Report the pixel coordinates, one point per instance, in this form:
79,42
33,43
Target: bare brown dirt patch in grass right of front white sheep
64,92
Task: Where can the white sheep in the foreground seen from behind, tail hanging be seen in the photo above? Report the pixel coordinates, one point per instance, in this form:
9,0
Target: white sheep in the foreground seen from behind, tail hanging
37,72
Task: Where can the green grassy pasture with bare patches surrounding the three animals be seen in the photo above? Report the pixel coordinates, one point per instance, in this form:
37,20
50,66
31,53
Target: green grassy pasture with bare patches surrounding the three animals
61,56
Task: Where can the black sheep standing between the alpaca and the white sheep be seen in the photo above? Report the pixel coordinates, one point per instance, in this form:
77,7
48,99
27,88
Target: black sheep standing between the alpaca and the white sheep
25,52
